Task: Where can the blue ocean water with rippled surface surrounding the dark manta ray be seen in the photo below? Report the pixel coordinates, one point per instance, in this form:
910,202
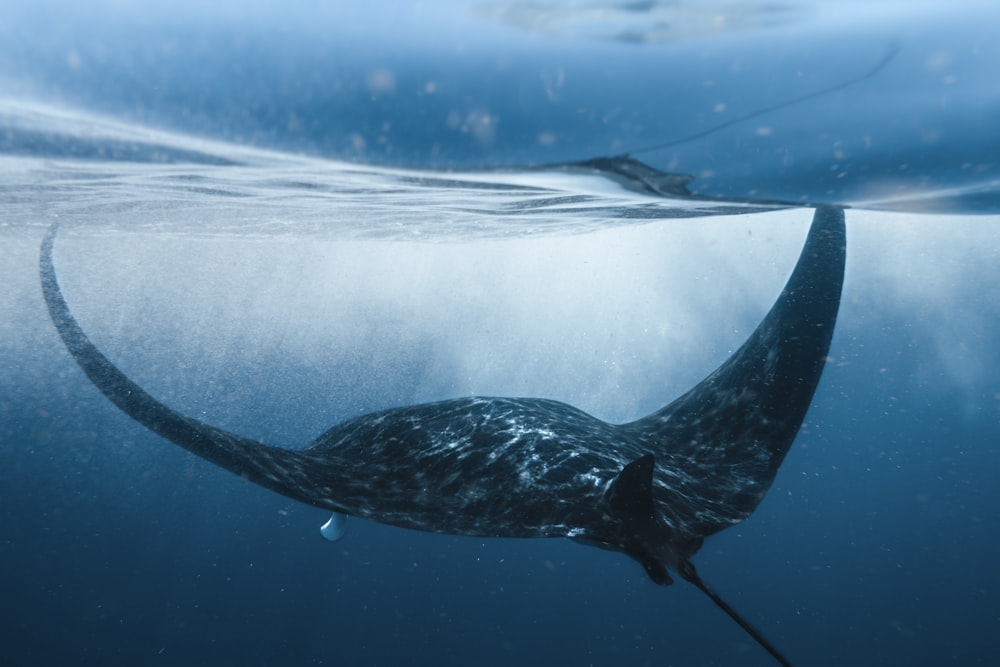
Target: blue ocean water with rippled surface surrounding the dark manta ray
275,217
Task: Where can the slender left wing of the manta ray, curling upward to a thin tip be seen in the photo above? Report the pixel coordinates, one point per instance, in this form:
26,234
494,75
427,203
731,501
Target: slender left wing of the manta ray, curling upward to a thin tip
271,467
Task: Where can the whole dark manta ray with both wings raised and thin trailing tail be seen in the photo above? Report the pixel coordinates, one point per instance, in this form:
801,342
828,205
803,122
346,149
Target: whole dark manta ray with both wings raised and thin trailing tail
653,488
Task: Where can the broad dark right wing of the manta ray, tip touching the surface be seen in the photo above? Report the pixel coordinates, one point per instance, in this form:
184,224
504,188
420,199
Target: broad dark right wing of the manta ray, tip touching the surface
718,446
